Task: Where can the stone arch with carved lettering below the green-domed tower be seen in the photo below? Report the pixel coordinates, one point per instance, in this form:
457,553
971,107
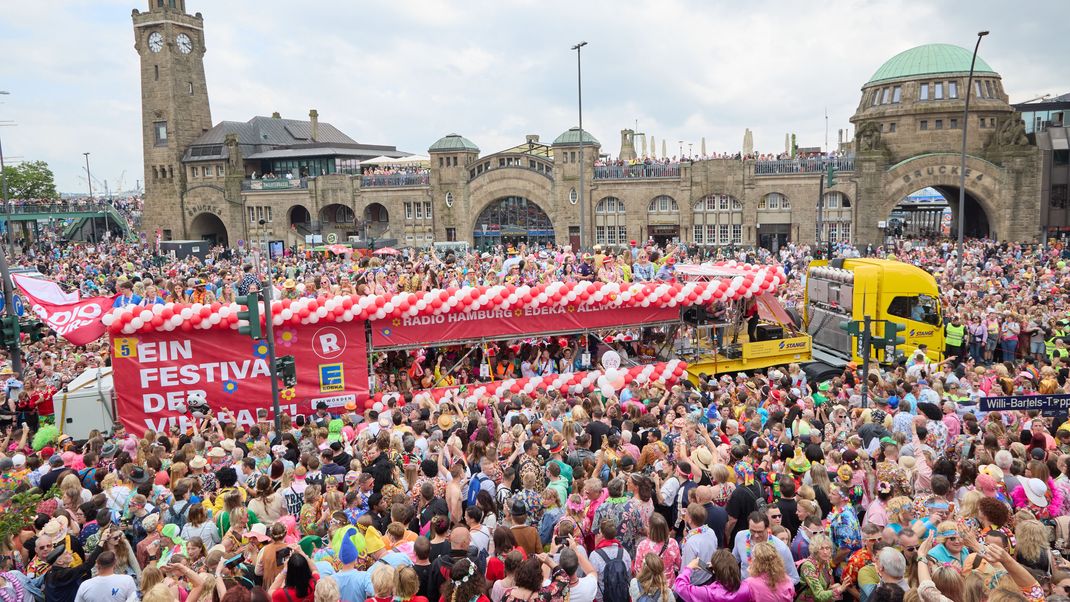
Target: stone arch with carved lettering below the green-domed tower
942,172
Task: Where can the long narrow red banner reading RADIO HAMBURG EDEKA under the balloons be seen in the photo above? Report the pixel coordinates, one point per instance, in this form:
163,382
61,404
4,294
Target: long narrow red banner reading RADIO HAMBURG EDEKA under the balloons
517,322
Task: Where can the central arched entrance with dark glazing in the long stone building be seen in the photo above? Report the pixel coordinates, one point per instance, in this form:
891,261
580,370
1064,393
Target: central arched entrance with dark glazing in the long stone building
512,221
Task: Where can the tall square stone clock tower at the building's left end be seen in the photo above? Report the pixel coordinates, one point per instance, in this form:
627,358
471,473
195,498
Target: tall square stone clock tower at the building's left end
175,107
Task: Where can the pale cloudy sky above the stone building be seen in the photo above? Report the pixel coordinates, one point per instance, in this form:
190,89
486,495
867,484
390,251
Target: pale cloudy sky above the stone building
408,73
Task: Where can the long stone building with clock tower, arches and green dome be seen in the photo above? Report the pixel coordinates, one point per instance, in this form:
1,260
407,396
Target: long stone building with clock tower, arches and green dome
205,181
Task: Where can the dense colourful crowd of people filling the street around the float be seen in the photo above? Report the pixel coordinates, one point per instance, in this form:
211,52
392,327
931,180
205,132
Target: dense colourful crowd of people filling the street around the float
750,487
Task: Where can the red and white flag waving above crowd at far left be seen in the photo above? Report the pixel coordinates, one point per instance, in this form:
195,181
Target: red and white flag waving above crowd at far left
77,321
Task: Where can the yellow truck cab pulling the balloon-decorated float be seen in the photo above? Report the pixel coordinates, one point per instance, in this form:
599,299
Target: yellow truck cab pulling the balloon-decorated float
850,289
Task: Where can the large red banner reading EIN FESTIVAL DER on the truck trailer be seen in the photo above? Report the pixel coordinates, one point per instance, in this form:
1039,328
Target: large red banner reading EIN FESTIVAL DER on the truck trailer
157,373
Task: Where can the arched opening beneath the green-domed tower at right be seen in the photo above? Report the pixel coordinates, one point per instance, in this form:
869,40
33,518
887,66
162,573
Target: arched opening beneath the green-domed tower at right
934,212
